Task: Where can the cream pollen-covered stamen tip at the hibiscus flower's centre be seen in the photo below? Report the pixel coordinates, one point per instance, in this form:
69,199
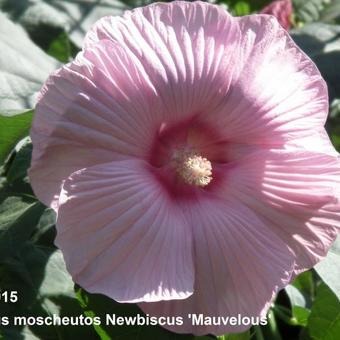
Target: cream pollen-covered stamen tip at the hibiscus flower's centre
195,170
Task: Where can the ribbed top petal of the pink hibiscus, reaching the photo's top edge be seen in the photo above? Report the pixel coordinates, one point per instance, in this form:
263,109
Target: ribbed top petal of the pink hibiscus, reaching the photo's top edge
186,49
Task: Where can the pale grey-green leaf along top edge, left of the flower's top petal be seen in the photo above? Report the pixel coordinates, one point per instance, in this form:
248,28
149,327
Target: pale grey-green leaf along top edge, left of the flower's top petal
75,17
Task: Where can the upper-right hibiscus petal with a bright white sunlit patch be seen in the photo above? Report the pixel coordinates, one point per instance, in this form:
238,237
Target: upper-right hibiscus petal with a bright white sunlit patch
277,93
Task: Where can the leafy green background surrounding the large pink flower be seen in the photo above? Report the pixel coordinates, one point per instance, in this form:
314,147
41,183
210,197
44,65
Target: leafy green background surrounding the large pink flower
36,37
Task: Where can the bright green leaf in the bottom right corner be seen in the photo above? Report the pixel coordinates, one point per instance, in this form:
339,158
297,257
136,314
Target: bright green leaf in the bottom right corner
324,320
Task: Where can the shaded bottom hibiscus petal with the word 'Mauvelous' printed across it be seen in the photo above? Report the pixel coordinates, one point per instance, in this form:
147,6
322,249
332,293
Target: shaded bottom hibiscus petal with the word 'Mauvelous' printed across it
239,263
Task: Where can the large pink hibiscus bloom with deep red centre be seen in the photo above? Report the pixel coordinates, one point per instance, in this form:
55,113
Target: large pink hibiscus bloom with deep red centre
184,151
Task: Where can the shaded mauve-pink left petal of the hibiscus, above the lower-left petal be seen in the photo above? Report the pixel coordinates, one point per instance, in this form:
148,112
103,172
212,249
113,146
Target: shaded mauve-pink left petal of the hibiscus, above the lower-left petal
88,115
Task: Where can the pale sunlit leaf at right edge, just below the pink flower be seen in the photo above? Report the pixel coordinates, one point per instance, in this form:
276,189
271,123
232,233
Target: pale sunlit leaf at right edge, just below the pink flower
329,268
